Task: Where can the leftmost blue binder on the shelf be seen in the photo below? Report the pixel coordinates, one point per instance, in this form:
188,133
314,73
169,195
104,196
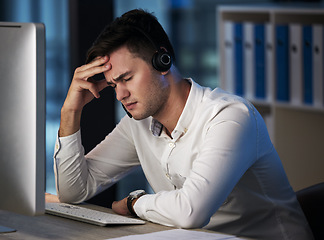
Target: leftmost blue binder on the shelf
238,59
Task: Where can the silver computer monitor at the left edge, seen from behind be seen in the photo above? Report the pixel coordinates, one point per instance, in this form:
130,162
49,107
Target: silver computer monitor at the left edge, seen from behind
22,117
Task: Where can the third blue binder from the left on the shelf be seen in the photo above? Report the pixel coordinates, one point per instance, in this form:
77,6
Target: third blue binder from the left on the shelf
282,63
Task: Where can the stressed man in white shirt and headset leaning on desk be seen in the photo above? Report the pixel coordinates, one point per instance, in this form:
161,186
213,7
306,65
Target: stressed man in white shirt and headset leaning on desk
206,154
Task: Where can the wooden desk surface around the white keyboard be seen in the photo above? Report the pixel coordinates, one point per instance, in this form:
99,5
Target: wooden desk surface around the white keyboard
53,227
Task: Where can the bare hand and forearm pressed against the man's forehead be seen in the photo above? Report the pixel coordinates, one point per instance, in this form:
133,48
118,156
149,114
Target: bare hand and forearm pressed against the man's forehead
82,90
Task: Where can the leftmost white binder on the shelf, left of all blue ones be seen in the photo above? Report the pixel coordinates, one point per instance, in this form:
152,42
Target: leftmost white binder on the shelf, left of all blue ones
229,55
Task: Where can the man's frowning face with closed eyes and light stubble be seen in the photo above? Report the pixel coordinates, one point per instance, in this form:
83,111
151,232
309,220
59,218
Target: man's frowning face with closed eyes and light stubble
143,91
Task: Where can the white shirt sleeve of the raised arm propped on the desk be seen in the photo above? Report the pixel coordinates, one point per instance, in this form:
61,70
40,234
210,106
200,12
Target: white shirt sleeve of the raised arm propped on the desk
78,177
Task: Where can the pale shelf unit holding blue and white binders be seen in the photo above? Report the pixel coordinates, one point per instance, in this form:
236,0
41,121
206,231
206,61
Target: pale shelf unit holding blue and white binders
295,128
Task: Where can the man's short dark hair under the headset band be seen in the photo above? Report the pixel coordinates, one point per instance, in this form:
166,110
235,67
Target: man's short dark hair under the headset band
133,29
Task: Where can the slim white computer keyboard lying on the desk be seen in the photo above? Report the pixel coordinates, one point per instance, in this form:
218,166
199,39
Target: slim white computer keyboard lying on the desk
83,214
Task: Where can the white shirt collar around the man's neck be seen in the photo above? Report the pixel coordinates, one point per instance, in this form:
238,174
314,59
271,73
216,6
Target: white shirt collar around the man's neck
193,101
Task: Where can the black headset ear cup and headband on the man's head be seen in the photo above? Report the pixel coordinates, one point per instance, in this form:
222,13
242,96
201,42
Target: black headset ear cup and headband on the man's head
161,59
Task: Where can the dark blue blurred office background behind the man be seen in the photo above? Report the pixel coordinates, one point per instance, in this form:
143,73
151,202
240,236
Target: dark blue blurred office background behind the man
72,26
